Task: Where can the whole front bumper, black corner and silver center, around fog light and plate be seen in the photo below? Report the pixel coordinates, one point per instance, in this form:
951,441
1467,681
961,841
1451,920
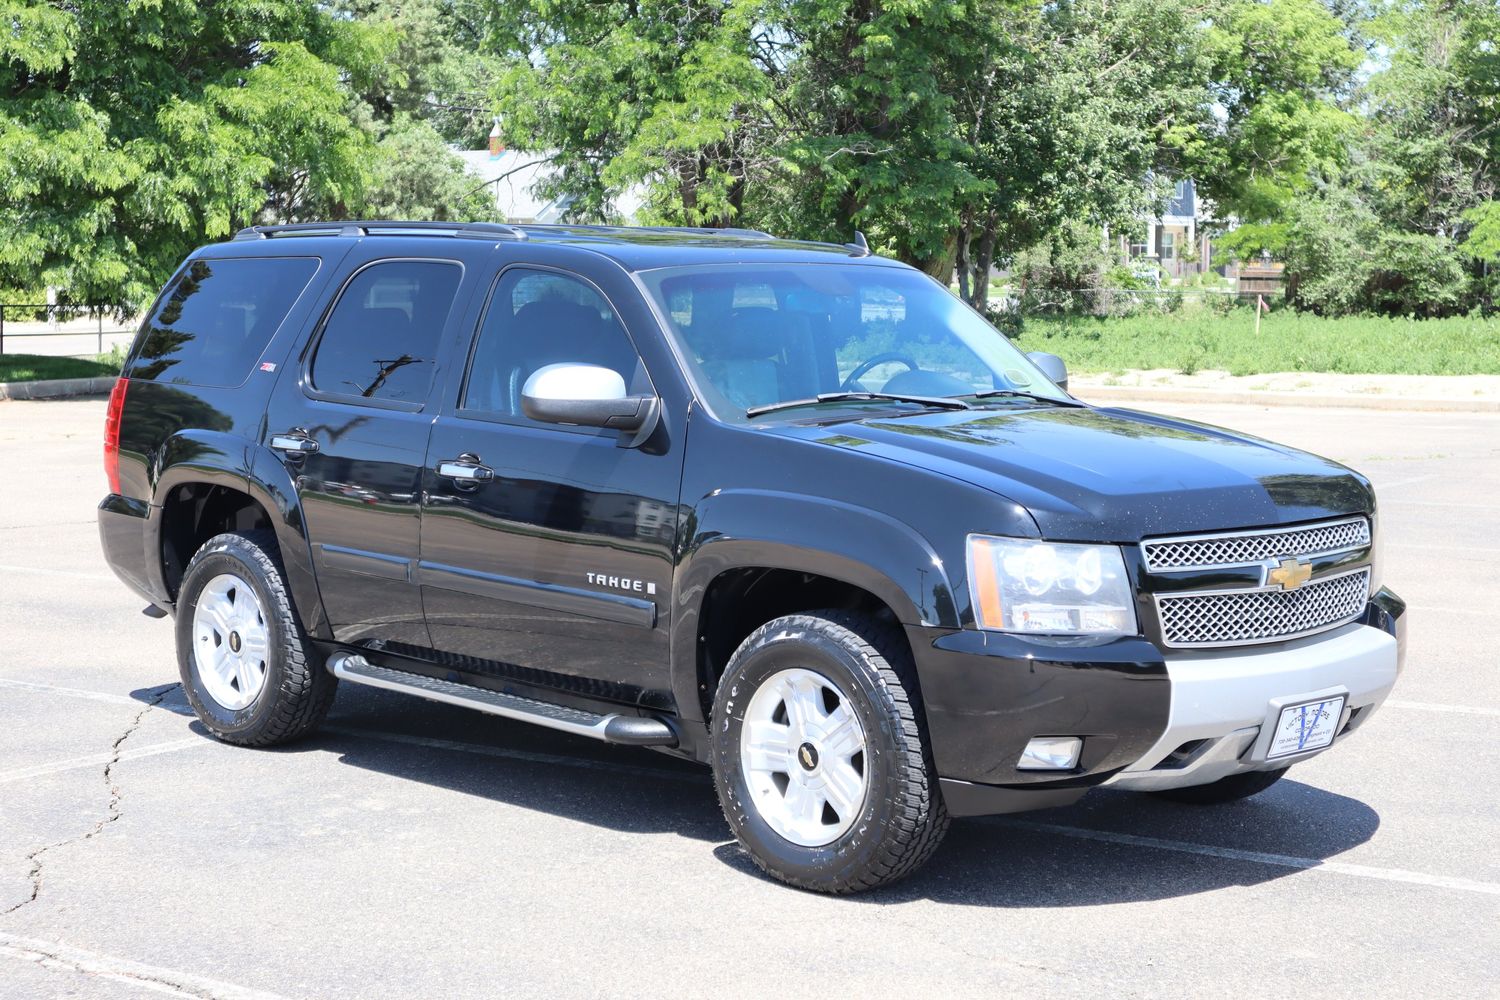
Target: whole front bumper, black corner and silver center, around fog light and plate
1148,720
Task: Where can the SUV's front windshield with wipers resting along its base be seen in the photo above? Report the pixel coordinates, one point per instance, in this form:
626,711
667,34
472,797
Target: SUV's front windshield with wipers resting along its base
758,337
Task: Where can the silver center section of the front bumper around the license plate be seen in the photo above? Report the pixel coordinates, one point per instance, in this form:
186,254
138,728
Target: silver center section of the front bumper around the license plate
1225,699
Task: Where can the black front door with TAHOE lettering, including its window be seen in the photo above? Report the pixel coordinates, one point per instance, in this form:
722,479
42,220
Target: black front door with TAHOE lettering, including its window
547,551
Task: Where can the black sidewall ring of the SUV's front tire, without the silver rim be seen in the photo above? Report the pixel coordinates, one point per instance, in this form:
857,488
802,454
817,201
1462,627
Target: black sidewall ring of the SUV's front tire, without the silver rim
841,863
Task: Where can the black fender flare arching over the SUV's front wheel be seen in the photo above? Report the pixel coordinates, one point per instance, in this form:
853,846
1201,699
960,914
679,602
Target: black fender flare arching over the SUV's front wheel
811,534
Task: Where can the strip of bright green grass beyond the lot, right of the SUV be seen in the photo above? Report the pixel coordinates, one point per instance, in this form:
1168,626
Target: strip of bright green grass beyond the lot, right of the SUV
1199,340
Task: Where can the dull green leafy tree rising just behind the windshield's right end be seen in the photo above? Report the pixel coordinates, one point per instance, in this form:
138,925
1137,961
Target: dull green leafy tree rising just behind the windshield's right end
1072,118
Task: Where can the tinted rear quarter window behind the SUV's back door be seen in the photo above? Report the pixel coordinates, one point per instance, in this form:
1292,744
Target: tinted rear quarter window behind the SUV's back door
217,319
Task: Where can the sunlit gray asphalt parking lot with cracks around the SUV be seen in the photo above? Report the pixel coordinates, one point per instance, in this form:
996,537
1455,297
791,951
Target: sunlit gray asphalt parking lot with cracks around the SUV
419,851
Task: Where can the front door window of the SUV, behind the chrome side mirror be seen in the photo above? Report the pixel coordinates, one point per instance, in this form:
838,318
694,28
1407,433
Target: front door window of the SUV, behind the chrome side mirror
539,319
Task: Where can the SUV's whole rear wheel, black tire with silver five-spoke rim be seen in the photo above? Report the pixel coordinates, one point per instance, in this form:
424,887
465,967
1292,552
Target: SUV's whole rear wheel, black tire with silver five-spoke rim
238,584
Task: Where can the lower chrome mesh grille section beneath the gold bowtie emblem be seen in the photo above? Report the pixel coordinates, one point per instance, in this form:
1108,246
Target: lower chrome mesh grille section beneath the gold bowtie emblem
1228,618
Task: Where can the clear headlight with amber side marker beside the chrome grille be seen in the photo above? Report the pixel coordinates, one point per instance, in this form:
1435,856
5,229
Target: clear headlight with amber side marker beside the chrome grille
1045,587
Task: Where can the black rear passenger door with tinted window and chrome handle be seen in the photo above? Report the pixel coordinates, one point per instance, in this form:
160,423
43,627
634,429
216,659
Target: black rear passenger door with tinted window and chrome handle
352,424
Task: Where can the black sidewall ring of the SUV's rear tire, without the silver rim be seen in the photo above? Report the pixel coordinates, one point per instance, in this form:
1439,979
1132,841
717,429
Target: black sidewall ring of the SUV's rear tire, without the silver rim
217,558
